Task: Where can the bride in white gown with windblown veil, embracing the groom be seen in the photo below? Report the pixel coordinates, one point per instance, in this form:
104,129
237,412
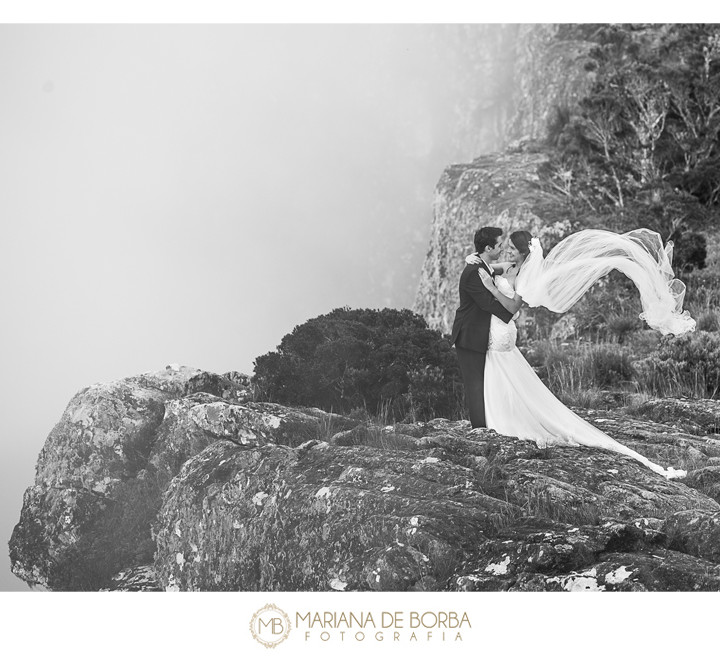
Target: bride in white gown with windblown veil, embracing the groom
517,403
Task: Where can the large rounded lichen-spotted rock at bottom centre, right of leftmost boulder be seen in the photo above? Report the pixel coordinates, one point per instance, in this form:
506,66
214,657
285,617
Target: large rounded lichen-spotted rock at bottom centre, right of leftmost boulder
282,518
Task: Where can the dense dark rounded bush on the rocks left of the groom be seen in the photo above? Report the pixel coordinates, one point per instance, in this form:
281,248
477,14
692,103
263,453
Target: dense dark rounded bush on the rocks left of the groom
387,362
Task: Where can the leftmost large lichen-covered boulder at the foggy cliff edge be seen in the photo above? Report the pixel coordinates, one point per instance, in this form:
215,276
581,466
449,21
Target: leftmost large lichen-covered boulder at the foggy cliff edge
88,513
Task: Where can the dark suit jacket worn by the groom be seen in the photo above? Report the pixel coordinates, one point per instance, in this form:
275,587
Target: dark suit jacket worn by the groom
471,328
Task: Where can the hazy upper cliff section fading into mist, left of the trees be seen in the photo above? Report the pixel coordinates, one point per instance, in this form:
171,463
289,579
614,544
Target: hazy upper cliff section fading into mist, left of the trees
512,78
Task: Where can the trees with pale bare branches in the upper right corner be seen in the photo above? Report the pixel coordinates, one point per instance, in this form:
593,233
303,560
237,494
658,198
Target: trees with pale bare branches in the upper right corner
648,134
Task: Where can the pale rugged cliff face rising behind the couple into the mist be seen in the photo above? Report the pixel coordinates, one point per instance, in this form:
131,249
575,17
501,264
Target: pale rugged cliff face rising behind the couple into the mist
547,73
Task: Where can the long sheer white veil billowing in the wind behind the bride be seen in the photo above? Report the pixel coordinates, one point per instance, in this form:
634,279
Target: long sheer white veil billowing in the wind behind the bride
581,259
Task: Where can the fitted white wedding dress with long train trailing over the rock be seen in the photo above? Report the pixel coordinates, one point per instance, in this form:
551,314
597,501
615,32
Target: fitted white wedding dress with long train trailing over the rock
517,403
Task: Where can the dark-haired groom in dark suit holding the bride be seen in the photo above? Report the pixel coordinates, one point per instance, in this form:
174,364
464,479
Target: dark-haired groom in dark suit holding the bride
471,328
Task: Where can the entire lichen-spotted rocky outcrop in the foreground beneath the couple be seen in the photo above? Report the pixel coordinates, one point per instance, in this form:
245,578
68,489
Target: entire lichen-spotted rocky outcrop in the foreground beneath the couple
217,492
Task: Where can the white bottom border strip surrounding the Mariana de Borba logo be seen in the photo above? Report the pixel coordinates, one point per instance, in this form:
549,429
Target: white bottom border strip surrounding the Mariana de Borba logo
503,624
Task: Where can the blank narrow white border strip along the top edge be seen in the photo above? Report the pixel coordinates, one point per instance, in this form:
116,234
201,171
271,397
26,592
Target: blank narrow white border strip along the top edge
368,11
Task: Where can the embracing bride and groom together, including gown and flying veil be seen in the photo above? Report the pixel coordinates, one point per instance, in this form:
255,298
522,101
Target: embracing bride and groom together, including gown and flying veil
502,391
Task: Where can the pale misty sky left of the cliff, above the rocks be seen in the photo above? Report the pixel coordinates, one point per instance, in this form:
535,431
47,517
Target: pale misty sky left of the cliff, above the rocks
189,194
